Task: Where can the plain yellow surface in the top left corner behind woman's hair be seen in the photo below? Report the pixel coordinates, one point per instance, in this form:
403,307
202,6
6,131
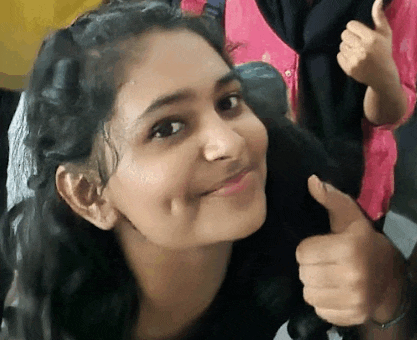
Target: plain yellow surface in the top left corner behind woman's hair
23,26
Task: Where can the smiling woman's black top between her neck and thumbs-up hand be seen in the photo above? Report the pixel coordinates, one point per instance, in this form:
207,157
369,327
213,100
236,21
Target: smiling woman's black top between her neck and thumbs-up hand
262,290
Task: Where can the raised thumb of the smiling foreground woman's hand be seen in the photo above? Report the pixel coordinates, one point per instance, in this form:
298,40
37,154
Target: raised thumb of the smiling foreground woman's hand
342,209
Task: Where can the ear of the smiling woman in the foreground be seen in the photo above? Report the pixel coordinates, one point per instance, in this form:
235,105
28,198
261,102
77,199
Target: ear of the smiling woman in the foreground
86,198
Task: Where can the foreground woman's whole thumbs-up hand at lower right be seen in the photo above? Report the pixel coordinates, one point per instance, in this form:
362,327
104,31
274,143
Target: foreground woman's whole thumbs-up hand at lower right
349,275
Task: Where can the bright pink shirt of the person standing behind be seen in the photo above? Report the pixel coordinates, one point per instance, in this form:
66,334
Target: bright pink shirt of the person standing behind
244,24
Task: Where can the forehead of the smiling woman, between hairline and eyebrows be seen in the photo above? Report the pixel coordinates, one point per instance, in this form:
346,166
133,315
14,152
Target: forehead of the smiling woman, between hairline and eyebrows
174,59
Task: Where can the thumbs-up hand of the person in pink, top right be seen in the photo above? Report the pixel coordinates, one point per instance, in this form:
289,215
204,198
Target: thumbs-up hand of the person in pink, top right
366,54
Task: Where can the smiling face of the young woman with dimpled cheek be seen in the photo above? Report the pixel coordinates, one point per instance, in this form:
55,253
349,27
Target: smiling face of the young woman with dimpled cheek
192,165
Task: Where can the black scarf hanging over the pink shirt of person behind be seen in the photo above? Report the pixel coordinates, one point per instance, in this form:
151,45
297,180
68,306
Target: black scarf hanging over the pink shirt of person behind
331,103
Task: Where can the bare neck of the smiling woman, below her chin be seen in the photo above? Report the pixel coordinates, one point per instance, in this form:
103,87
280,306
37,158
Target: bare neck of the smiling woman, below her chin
176,286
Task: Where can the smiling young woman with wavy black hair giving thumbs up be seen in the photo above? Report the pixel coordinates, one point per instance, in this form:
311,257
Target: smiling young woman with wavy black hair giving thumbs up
164,208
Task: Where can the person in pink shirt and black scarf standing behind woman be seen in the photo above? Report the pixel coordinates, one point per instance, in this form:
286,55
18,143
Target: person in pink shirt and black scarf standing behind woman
350,84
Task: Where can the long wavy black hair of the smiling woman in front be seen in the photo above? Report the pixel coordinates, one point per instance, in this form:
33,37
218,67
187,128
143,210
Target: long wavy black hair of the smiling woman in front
74,283
